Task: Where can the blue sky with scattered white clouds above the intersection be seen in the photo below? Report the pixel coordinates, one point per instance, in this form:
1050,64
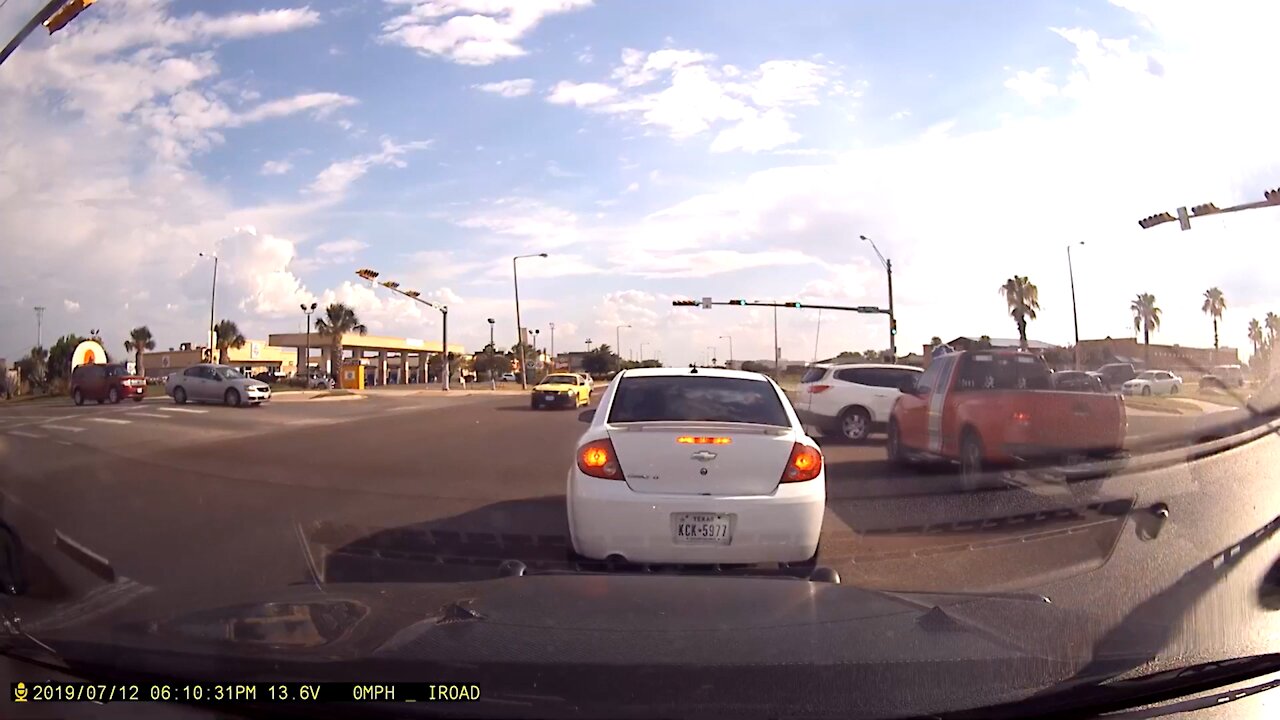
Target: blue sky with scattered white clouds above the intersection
655,151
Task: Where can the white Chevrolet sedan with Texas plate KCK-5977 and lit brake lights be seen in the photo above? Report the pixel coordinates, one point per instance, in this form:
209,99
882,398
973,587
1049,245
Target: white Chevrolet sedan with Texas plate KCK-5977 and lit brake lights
696,467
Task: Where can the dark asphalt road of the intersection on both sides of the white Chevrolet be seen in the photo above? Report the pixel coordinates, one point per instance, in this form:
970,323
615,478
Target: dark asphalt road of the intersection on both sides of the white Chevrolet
419,486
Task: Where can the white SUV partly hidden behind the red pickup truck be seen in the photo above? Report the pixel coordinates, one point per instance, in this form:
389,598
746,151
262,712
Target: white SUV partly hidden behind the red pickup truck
851,402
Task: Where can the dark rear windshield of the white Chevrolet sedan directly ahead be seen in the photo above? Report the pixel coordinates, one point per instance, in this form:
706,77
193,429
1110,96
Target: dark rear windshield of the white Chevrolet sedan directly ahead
693,398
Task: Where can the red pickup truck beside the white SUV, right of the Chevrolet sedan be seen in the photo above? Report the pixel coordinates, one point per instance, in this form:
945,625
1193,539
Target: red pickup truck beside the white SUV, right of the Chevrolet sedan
993,408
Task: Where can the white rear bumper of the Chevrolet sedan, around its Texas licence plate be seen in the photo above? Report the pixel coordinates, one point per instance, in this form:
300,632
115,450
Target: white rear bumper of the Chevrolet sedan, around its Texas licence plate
609,518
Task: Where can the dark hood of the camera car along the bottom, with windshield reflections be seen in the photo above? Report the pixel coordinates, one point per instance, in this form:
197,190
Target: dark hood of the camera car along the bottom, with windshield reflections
569,635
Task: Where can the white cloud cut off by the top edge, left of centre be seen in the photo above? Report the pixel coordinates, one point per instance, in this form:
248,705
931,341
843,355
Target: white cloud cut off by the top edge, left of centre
470,33
